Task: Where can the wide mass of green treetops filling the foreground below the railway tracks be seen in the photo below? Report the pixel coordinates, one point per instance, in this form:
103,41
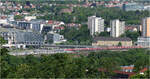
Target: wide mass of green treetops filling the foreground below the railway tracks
70,65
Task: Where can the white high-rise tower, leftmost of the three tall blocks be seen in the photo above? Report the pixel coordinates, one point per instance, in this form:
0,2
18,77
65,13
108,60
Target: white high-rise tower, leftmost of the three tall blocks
95,24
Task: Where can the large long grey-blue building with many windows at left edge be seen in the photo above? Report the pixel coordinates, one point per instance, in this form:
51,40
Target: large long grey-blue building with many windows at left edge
16,37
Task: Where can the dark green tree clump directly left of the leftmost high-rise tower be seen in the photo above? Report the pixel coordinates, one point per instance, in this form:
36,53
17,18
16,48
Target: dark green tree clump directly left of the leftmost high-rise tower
77,36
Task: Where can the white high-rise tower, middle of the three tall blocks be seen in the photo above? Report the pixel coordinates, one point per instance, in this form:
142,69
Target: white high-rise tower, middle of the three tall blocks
117,28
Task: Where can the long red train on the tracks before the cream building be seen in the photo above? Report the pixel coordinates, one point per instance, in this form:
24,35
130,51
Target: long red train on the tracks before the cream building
104,48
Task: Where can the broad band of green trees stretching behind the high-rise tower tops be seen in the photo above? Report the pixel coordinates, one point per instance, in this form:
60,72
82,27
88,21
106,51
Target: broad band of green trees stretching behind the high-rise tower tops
80,14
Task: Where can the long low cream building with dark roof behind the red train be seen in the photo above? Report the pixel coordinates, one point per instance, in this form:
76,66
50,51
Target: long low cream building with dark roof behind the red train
111,41
